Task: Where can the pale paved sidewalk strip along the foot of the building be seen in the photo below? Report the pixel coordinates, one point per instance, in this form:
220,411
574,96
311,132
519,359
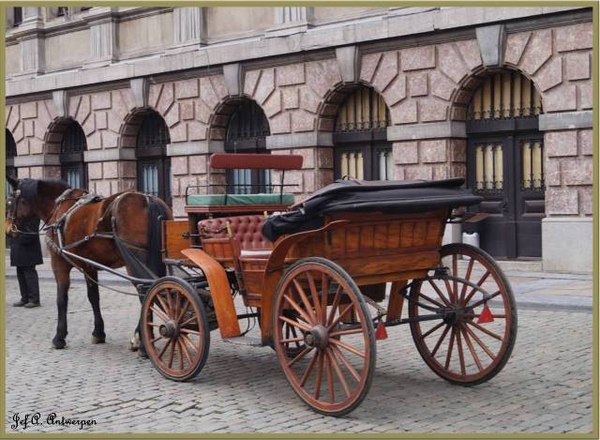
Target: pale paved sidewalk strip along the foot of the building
536,289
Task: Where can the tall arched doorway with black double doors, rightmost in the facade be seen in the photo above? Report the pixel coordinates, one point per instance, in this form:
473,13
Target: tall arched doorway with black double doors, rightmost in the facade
505,164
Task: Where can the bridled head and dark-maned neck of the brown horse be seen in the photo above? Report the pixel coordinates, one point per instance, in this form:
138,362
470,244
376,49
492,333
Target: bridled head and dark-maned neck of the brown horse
30,198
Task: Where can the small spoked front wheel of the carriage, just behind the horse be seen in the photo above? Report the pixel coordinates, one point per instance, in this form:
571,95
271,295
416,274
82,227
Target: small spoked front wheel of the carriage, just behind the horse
175,329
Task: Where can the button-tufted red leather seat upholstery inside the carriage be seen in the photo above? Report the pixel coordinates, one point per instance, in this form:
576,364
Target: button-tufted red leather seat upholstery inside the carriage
246,229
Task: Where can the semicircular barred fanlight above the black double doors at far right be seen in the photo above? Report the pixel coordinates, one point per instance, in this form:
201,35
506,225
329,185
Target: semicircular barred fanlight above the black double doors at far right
505,95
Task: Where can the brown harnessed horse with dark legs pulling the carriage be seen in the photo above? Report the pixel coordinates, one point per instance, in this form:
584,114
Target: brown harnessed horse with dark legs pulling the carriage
115,231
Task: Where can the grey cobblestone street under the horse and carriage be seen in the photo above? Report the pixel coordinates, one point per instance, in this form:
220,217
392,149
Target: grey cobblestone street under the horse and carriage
545,388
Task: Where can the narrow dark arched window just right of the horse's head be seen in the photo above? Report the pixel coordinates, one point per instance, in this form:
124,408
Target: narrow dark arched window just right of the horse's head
73,170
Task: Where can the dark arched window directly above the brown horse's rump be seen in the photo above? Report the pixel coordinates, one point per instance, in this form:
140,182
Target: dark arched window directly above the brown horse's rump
153,166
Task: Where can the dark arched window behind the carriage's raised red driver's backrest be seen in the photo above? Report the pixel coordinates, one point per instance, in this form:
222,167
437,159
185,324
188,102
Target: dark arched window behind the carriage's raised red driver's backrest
246,133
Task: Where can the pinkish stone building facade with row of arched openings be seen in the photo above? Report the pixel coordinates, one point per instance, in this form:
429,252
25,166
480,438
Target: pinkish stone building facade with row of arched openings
118,98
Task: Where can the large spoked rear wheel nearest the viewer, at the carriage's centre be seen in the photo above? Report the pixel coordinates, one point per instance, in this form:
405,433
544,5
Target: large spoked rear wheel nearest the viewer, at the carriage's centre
329,357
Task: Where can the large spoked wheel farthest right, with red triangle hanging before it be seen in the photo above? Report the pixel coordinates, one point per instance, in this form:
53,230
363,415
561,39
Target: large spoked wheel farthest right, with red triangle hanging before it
477,329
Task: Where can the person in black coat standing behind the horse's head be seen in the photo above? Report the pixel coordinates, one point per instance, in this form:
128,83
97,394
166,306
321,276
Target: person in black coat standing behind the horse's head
25,254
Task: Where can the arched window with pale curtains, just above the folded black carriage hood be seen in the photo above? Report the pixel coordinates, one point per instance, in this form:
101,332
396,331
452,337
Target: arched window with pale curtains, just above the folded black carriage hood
361,148
